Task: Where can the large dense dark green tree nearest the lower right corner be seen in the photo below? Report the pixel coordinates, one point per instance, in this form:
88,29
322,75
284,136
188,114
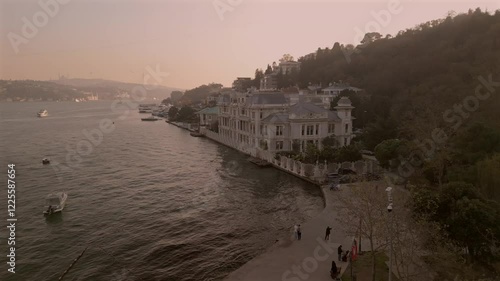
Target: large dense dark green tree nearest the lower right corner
467,218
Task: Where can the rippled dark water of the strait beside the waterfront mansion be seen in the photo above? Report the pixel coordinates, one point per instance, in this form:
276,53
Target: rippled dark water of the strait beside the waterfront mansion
148,201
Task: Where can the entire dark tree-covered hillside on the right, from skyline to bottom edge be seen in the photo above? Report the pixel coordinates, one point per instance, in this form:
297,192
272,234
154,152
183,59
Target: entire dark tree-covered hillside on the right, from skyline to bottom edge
429,111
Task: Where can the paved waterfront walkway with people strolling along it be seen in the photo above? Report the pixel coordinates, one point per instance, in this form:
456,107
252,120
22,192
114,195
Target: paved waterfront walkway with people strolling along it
307,259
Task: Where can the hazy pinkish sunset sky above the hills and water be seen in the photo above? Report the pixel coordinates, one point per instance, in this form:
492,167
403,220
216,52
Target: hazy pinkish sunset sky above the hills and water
195,41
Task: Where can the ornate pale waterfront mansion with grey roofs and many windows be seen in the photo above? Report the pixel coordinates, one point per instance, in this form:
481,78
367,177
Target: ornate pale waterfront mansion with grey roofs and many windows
271,121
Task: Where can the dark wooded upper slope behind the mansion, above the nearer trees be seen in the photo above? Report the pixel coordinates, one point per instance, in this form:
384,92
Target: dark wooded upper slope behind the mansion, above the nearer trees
415,76
